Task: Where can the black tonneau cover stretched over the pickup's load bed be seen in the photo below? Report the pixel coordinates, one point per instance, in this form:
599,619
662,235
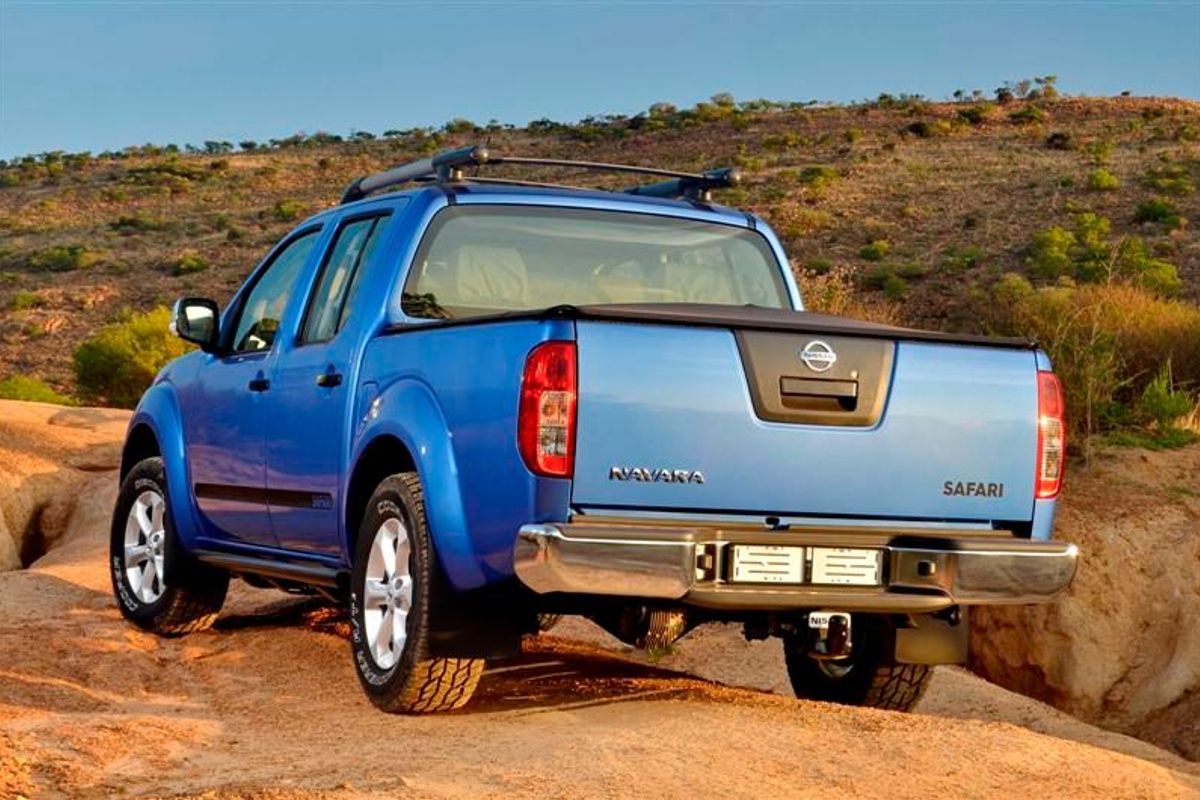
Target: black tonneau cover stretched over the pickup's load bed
746,318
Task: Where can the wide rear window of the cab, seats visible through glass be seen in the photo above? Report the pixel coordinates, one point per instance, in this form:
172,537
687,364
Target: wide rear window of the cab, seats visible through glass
478,261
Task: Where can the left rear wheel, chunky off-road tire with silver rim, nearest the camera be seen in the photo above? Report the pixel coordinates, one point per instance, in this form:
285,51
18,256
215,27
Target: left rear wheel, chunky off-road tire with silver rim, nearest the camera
394,664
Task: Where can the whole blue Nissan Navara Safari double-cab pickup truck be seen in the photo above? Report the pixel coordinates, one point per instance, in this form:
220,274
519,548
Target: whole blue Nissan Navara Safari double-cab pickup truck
466,406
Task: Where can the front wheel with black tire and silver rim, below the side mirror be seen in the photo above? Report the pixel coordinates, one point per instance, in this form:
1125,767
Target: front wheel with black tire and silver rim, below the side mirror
158,585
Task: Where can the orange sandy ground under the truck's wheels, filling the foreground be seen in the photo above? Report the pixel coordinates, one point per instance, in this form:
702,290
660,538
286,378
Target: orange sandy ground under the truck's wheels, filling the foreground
267,706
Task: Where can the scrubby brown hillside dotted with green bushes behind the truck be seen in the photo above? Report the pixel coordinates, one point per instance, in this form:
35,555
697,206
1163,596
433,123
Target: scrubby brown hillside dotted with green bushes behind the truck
919,208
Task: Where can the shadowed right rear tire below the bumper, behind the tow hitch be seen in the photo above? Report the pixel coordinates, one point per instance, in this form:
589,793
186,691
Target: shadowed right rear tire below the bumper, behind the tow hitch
869,677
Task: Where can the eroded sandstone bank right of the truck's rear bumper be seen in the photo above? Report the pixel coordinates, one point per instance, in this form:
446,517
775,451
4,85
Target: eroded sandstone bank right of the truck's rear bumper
1123,647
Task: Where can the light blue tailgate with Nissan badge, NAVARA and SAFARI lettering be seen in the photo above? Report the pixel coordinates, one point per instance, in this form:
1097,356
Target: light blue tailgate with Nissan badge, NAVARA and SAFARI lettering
748,419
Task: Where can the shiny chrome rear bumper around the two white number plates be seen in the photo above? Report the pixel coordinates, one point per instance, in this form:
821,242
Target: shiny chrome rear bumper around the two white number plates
920,570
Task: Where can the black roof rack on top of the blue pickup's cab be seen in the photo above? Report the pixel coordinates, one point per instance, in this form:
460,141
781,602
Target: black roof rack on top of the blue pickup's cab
447,167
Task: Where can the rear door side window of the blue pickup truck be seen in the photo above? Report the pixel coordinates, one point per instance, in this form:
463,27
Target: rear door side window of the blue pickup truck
334,297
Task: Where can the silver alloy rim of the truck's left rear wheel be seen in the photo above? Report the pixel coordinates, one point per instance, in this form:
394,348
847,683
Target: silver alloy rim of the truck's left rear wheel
388,593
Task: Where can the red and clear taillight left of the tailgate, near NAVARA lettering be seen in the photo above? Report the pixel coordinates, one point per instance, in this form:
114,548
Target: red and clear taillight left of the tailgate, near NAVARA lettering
547,417
